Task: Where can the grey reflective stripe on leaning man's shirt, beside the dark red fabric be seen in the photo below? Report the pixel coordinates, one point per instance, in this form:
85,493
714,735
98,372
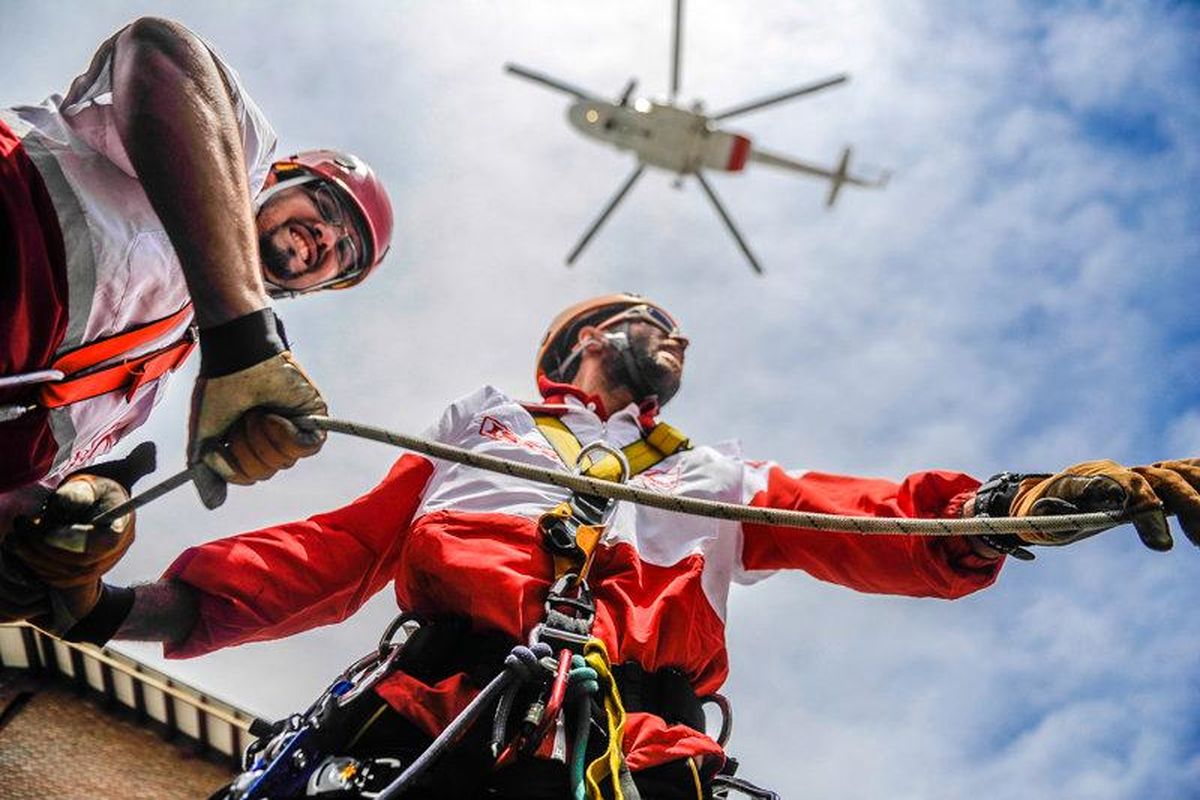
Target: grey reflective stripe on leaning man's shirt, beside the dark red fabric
81,261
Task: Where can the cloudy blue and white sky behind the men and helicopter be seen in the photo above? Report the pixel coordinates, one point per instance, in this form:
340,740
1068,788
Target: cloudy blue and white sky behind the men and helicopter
1021,298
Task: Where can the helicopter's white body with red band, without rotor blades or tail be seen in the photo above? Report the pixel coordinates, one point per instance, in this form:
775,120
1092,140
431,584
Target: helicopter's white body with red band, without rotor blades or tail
663,136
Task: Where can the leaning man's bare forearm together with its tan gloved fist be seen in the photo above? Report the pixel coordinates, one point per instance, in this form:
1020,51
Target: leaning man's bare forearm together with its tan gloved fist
177,121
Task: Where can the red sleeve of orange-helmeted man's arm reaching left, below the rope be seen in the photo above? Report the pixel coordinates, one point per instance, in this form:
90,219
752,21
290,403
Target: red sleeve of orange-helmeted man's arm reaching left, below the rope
279,581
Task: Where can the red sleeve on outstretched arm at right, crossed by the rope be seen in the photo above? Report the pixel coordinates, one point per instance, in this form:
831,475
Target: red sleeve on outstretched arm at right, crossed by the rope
934,567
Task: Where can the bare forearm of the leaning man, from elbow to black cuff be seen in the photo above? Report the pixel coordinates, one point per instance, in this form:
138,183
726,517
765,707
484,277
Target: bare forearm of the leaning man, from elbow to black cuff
178,125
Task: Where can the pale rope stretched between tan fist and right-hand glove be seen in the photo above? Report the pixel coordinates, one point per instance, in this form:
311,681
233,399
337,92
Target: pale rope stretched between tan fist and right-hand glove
717,509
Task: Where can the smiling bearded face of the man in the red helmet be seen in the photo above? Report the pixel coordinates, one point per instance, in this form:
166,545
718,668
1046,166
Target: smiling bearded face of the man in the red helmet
305,238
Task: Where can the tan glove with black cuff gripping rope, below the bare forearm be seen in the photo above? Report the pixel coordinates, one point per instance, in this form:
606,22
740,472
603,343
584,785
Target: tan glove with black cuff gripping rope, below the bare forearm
249,388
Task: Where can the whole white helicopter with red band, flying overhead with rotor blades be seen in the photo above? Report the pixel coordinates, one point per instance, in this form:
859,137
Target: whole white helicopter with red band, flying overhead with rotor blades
687,141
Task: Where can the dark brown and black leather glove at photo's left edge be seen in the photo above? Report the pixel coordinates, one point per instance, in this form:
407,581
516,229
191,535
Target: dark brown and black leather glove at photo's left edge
62,555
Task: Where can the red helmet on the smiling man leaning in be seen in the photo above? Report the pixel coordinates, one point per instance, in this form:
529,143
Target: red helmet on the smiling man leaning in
365,193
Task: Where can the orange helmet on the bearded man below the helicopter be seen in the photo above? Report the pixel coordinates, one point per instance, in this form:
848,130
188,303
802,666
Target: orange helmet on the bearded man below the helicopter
559,352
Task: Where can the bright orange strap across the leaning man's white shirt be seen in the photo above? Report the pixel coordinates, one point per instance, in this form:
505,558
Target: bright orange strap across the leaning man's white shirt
86,378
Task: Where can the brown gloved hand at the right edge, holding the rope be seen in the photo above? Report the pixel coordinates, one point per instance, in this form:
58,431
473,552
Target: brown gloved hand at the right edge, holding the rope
1147,494
